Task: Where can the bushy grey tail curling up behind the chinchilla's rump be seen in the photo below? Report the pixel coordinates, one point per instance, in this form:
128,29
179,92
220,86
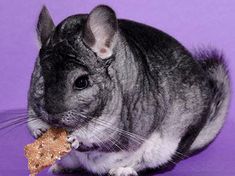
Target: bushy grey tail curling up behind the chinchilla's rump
214,64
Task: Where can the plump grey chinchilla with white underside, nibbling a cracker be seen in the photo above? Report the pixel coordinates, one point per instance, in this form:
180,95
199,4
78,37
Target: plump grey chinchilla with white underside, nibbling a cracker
130,96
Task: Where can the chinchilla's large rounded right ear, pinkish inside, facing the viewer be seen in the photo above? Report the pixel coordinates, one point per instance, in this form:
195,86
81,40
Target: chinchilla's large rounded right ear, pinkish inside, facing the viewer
100,29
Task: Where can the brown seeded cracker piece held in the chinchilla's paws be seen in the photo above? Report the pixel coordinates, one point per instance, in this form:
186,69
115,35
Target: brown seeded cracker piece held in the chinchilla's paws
48,148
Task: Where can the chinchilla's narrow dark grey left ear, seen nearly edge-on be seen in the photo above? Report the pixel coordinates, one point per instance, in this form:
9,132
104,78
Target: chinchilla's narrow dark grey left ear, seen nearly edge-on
45,25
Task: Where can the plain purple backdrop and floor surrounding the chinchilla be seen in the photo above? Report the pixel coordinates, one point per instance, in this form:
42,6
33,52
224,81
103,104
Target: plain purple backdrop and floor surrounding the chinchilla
194,23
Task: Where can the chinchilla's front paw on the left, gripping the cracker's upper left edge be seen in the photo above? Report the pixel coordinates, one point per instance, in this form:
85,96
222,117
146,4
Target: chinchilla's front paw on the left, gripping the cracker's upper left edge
37,127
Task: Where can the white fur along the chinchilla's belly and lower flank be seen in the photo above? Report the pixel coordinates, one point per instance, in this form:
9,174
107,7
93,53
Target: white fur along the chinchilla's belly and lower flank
154,152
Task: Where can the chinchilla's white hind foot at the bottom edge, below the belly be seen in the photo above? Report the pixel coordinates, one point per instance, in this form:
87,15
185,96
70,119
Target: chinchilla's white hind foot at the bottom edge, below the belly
123,171
